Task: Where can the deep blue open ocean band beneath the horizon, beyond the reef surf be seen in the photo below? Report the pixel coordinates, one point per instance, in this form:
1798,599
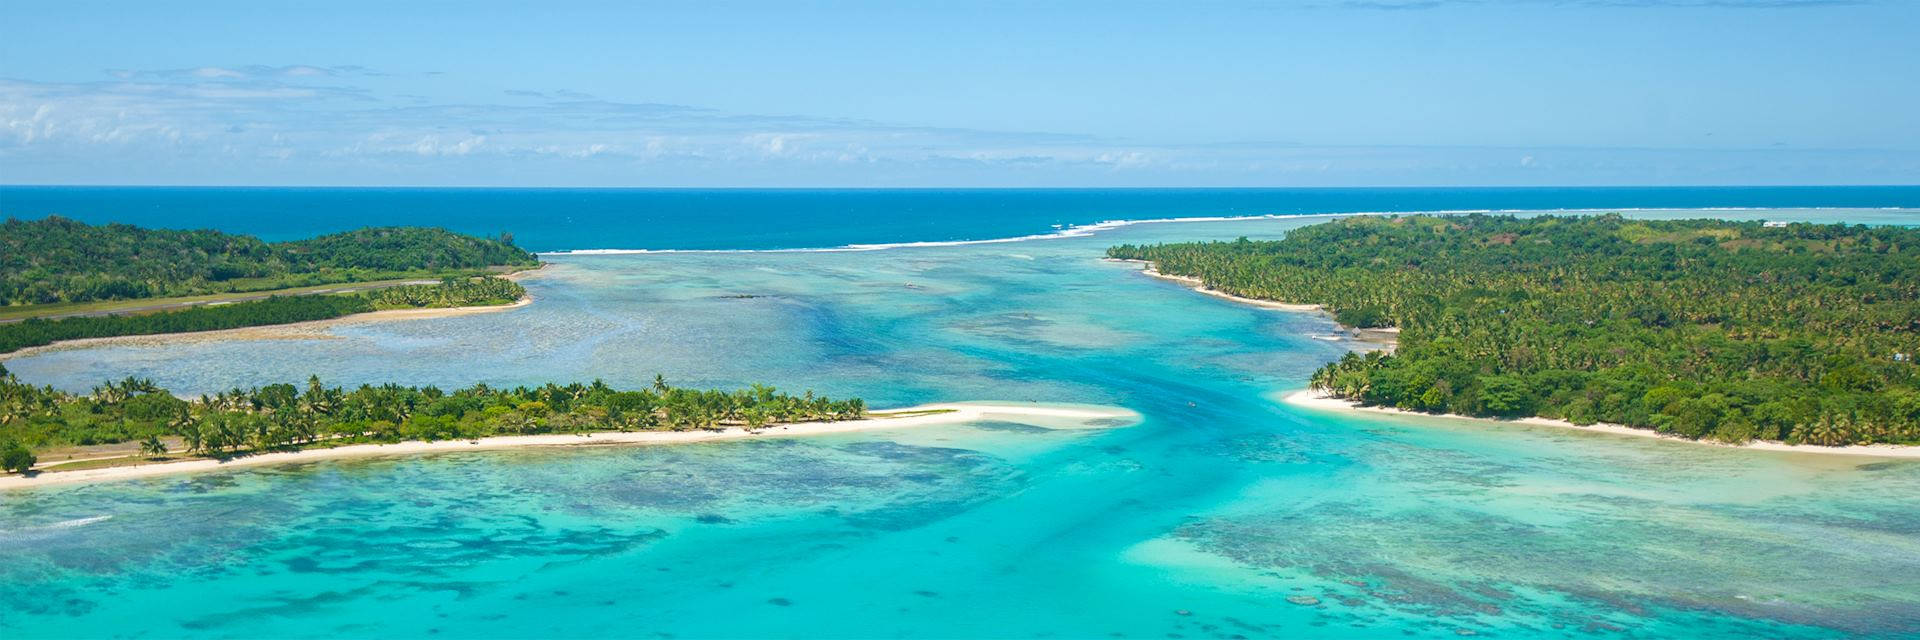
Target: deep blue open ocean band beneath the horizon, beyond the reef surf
548,220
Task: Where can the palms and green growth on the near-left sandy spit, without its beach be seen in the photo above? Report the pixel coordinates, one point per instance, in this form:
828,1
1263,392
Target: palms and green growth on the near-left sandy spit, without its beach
285,416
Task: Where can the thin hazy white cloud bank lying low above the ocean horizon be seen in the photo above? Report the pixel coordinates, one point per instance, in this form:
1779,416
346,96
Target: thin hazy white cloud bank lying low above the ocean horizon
283,126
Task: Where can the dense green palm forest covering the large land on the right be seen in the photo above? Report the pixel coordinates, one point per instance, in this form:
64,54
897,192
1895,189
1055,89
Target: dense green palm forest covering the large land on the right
1702,330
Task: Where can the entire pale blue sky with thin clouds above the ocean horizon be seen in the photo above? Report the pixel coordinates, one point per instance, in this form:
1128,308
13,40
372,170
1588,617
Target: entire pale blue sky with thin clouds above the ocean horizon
1364,93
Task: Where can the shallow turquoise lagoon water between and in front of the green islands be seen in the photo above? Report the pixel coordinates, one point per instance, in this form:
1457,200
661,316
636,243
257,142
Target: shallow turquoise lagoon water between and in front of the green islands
1224,516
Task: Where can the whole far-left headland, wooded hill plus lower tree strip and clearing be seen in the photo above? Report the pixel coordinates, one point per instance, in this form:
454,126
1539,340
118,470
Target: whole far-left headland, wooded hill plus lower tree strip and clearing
62,280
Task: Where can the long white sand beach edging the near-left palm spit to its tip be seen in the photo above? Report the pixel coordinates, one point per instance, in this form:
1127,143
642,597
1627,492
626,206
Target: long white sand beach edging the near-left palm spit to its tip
1065,418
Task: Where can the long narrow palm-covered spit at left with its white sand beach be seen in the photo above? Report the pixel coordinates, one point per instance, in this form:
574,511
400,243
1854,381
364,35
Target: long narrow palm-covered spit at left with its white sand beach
132,428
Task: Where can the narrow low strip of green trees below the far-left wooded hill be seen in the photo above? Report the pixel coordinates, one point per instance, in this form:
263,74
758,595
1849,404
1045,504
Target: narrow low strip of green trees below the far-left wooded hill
277,310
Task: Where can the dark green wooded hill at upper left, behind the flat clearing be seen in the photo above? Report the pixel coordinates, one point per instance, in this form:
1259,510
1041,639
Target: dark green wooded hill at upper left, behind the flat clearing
59,260
